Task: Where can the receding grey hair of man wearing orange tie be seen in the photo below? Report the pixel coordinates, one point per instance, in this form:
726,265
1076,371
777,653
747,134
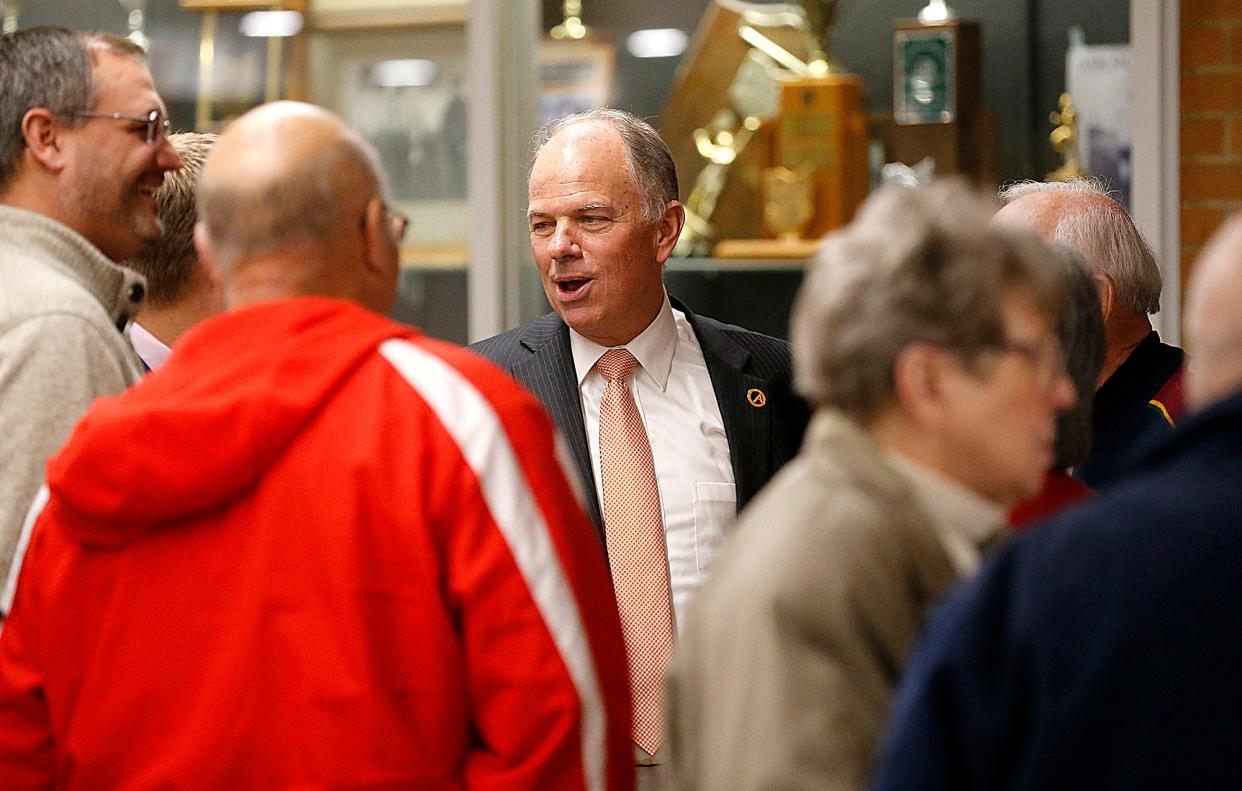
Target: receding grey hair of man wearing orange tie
648,158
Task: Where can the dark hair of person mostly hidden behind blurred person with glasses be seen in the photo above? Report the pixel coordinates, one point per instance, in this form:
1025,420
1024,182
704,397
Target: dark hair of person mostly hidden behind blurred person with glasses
1081,331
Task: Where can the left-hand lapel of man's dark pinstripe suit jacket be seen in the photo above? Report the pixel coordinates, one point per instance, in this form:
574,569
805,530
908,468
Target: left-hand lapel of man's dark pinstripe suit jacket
550,374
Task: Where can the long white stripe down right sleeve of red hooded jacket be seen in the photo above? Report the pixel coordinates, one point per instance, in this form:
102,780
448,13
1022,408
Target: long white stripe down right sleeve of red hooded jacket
474,425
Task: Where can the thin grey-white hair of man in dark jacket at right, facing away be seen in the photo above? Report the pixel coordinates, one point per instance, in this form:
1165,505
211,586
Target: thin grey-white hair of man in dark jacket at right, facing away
1081,215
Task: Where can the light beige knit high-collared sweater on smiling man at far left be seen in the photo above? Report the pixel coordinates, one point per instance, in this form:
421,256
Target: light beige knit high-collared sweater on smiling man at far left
63,311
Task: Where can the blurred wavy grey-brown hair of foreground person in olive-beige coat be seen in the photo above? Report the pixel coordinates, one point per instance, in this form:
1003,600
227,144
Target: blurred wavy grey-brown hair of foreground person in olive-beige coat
916,266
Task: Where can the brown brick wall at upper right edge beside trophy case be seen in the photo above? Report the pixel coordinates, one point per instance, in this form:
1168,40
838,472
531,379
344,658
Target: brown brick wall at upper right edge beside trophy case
1212,120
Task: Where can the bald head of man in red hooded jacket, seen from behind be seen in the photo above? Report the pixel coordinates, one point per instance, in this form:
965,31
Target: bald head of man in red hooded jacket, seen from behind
292,187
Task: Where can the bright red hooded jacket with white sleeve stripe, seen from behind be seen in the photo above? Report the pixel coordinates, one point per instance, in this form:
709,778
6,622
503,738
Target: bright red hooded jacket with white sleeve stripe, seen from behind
316,551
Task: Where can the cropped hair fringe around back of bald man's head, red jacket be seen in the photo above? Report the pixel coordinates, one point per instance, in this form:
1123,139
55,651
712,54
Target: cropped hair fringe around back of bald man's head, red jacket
304,206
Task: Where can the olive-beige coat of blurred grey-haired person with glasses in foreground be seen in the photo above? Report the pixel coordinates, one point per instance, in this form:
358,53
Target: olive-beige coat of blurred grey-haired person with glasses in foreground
792,653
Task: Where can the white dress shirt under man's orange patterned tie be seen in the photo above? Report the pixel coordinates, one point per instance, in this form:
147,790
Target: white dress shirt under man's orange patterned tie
694,470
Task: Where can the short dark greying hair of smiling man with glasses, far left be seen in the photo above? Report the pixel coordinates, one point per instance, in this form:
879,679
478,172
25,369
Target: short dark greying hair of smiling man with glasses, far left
50,68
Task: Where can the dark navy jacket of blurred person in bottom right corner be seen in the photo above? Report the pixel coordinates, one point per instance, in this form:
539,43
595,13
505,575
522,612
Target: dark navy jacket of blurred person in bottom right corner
1101,651
